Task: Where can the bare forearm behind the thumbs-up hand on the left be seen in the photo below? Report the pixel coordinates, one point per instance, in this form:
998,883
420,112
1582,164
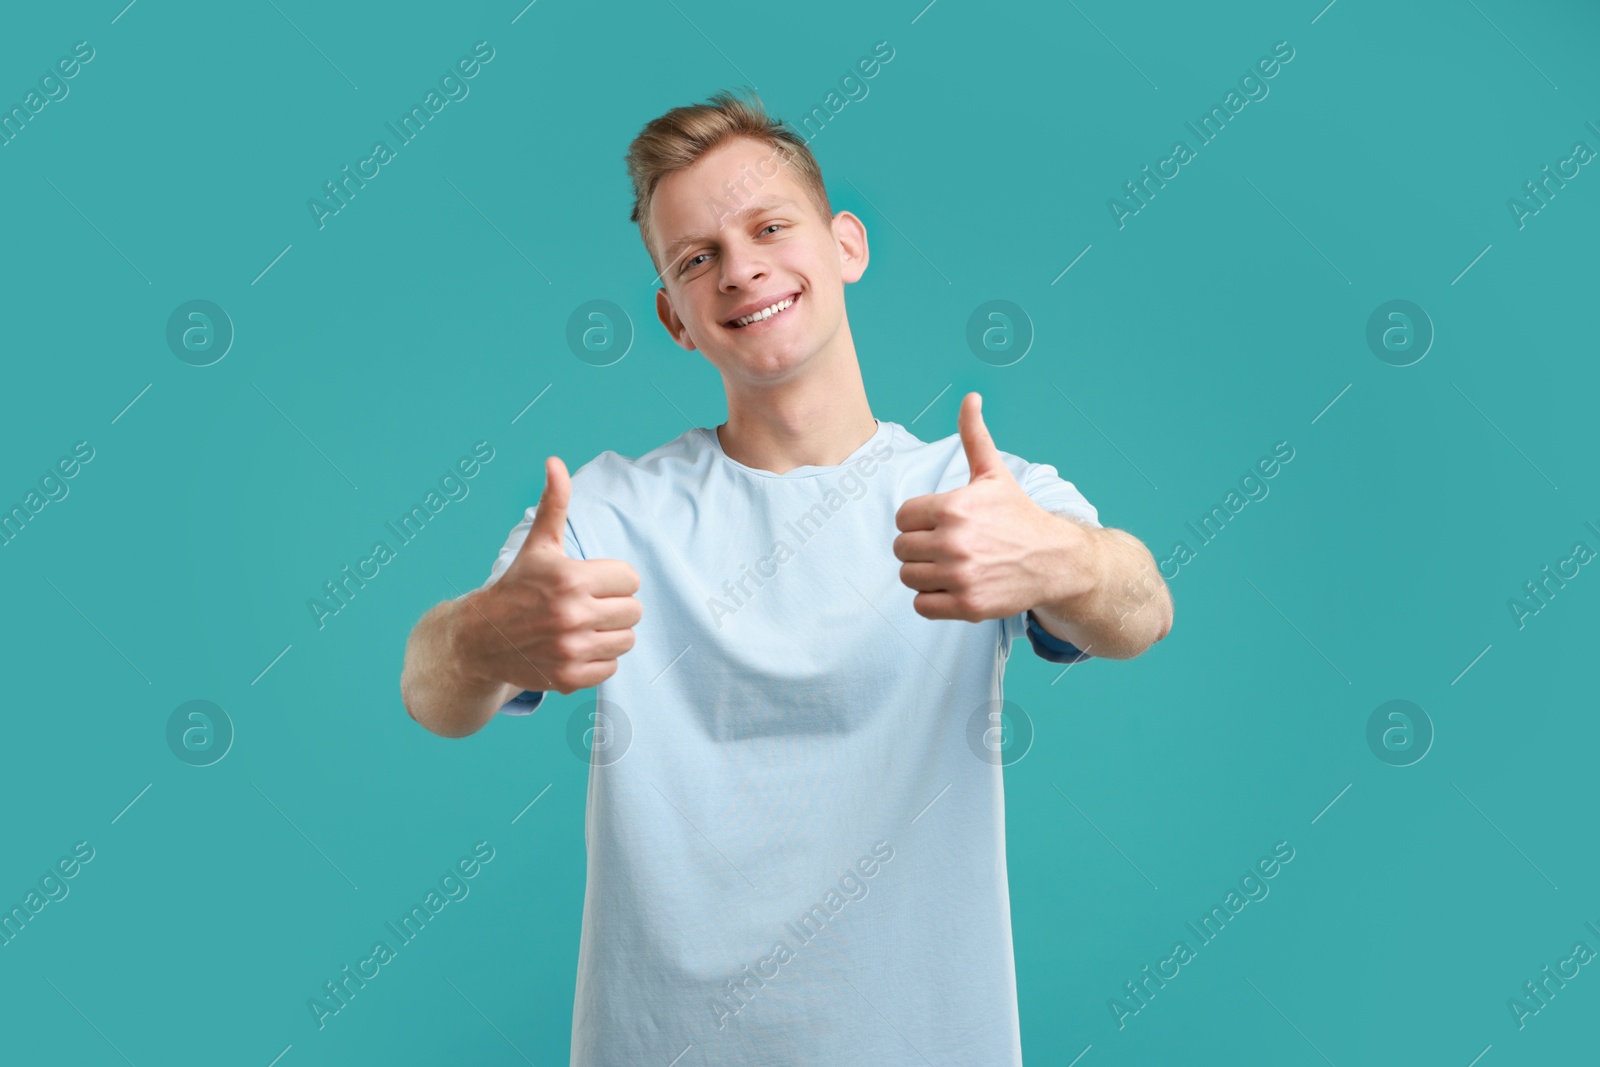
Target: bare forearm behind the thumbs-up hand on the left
436,690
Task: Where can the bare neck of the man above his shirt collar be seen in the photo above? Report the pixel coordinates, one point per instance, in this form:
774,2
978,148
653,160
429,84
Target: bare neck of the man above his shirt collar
814,420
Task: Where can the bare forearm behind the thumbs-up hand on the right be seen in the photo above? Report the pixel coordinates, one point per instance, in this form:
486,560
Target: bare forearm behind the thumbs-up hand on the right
1127,607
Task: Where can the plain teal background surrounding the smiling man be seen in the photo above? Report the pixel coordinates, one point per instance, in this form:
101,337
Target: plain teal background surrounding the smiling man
1226,316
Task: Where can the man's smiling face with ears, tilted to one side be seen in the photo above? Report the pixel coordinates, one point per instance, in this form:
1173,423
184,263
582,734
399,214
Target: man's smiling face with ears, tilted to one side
738,233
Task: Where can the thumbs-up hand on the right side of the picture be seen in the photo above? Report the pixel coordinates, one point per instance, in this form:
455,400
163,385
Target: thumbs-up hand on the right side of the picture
986,551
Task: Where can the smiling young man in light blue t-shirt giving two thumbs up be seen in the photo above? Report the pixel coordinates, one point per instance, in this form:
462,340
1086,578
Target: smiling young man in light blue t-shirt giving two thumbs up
798,831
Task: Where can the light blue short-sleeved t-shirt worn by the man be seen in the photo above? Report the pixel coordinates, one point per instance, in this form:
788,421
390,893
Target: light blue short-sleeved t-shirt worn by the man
796,818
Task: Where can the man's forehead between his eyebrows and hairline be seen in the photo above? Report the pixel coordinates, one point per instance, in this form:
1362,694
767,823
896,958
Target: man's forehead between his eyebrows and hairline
706,196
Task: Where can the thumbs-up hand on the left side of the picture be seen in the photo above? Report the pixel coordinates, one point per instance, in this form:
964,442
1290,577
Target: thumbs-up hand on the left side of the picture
550,623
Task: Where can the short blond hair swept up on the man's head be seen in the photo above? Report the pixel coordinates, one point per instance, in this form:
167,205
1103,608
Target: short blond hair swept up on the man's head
676,140
